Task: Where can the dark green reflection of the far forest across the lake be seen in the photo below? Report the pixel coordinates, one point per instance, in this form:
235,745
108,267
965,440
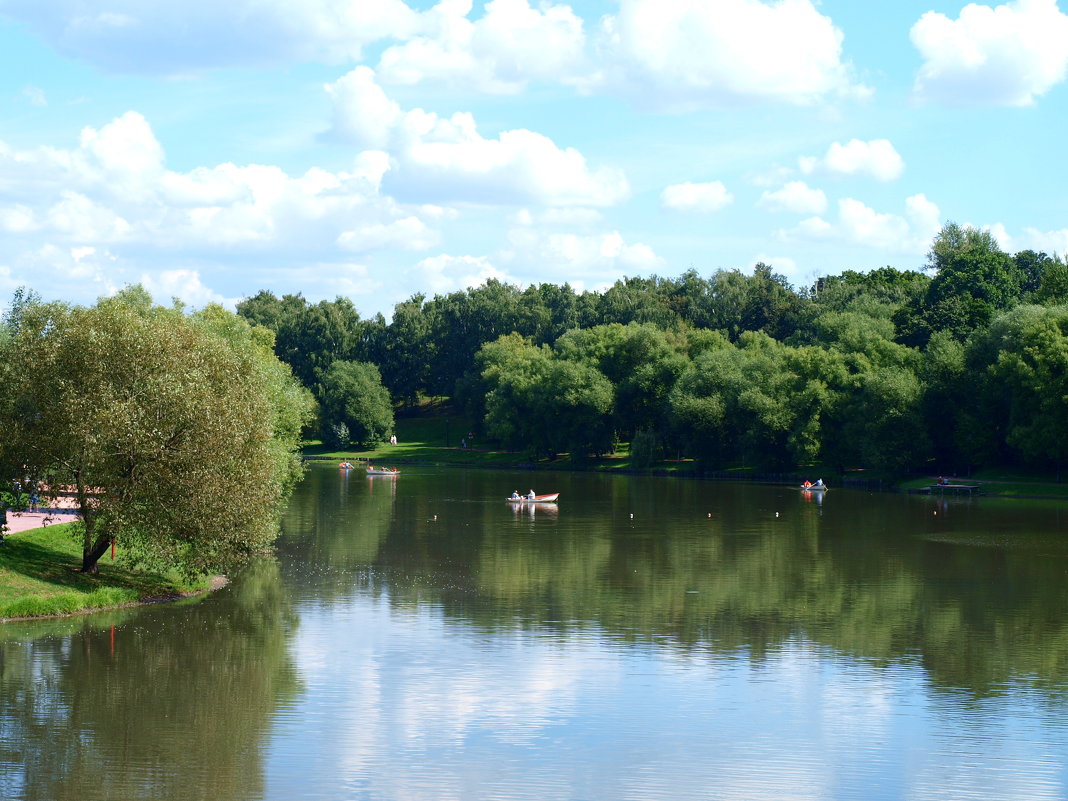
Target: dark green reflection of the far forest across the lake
884,578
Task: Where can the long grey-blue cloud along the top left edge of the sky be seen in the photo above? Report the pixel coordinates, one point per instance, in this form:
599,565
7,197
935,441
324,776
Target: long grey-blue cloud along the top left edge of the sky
166,38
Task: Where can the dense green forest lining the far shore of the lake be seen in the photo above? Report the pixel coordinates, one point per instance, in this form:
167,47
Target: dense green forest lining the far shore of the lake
959,366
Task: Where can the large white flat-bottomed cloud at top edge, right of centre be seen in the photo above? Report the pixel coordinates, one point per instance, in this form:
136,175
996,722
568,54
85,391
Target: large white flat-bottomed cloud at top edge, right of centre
698,54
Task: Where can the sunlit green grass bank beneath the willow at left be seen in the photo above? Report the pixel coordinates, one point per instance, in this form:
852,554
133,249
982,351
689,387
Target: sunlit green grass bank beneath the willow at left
40,577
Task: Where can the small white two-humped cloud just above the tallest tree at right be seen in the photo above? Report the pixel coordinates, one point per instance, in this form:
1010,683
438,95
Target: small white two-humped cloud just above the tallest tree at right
860,225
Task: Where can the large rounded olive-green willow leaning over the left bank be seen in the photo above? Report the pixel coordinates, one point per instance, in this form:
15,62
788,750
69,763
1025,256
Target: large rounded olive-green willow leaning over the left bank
175,434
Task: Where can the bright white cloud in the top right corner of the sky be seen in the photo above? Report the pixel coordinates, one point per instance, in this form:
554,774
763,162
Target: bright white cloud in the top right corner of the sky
1004,56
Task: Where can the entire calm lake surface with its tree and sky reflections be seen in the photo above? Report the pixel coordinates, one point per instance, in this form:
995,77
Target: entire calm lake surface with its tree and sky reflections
417,638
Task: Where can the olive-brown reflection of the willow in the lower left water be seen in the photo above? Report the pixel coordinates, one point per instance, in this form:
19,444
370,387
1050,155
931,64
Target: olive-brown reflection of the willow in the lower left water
158,703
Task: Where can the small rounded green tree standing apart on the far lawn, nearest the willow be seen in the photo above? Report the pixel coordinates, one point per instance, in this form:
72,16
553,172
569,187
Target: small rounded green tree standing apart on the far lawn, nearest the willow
353,397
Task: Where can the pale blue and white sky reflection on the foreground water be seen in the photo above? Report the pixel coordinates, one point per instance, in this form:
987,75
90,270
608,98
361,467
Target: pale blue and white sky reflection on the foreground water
401,703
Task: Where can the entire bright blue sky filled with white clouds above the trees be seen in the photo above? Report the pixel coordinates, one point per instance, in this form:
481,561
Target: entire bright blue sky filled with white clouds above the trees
378,149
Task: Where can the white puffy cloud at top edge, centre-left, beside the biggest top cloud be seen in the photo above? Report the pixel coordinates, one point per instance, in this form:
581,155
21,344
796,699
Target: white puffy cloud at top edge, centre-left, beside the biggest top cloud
510,45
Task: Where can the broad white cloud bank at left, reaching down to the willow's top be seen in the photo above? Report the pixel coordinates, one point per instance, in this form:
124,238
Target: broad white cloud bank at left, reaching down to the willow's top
108,208
